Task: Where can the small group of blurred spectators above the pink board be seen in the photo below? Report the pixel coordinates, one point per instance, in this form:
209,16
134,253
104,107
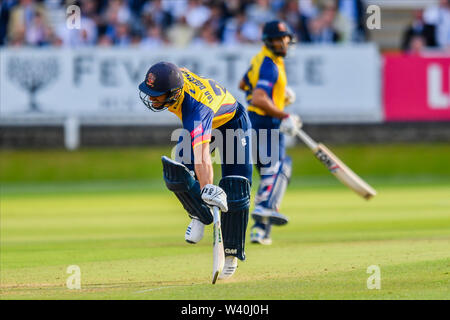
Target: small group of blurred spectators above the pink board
430,28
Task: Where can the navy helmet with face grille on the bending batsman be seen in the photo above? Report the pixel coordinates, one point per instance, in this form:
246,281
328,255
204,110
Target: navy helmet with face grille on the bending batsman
161,78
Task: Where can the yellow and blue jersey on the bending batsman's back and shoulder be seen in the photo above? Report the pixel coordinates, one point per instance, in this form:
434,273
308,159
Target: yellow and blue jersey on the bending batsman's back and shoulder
204,105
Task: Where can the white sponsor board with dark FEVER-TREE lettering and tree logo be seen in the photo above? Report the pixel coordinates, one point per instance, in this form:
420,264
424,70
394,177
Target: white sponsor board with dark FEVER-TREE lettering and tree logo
332,83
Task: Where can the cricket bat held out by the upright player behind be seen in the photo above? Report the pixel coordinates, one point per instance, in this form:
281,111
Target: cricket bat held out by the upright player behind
337,167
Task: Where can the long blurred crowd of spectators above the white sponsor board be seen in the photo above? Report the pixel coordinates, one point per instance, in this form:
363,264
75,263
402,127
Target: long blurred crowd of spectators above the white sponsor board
179,23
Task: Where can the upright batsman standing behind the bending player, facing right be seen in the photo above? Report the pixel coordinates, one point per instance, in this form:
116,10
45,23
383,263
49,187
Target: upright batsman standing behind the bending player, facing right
265,85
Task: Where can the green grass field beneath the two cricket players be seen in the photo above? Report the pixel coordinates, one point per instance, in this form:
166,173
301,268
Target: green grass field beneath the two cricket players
108,212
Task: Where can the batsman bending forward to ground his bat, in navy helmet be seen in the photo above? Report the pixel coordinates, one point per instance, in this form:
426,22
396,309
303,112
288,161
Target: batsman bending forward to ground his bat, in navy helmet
207,110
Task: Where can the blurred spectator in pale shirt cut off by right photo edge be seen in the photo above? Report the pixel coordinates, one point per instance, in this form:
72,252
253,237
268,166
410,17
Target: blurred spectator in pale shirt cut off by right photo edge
439,16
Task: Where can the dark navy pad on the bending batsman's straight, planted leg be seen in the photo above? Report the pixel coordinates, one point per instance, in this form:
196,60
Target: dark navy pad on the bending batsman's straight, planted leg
234,222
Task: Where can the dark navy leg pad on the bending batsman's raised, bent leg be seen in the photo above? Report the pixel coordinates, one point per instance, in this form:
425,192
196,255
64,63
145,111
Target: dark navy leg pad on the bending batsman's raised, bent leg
187,189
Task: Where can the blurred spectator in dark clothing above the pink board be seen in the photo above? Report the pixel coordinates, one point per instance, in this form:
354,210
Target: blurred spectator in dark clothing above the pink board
419,28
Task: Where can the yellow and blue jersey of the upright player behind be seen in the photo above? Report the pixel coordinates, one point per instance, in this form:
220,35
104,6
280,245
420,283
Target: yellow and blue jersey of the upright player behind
267,72
